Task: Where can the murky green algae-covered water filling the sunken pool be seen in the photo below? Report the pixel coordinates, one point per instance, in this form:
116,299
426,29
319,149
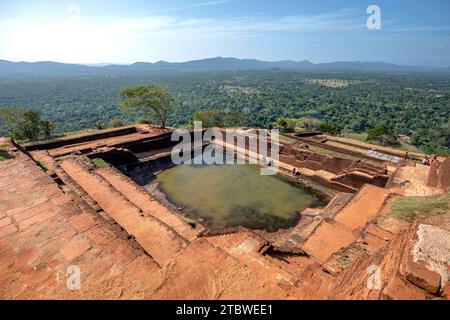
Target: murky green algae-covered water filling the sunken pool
224,196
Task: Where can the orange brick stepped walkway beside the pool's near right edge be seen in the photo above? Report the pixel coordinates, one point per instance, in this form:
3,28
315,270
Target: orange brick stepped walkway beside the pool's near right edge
345,224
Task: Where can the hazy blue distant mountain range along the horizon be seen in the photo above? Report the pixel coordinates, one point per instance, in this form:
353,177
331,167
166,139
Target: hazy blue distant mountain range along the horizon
49,68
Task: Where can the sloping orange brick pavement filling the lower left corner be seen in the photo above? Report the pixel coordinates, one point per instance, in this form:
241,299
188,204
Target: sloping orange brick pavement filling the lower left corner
47,233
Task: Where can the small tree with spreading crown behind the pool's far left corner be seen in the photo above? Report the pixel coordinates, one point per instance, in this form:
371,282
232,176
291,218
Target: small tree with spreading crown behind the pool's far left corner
156,100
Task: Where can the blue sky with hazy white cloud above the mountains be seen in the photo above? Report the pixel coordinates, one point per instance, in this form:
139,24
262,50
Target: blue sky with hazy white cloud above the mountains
79,31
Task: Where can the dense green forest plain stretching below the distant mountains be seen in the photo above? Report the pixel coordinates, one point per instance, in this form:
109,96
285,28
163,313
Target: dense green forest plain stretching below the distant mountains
416,105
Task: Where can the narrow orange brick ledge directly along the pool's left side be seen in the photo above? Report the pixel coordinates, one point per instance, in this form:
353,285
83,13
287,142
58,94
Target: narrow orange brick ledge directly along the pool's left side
142,199
